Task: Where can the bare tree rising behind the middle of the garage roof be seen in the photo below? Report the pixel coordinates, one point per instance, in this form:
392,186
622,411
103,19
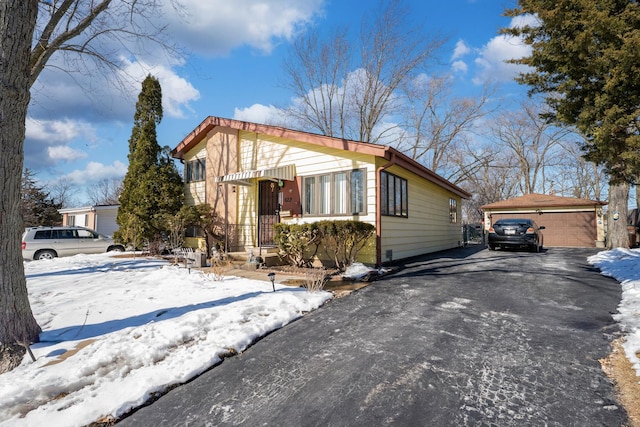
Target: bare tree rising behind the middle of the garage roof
525,135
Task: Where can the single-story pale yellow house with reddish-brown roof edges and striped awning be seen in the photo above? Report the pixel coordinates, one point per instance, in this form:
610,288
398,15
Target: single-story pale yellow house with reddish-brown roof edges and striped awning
256,175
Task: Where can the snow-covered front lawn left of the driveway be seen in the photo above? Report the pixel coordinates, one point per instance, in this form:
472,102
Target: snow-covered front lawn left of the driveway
117,330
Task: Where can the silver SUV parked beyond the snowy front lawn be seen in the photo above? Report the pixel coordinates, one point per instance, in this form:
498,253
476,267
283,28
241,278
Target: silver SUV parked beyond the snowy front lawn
51,242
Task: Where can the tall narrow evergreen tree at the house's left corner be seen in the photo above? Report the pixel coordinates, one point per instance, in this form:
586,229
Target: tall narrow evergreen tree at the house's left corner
152,187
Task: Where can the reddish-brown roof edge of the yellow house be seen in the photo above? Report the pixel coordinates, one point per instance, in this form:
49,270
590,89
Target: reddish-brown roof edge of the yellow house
383,151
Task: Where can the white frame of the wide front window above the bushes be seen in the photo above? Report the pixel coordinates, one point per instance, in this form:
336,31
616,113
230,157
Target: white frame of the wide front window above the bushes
318,194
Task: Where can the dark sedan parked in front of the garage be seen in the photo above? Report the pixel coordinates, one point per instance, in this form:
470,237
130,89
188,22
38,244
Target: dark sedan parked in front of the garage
516,233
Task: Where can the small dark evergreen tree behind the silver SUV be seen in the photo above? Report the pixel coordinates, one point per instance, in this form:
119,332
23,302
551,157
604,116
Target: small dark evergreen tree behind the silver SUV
38,208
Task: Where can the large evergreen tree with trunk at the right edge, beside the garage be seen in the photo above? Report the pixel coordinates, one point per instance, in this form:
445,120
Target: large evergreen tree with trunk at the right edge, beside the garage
585,57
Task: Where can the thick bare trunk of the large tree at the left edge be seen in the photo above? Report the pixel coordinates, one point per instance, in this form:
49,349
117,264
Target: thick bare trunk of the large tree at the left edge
17,324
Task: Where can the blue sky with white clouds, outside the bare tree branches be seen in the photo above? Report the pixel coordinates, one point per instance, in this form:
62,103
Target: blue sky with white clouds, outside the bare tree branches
79,125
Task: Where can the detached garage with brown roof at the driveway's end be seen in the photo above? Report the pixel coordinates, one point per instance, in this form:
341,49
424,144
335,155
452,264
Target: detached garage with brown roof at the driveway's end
568,221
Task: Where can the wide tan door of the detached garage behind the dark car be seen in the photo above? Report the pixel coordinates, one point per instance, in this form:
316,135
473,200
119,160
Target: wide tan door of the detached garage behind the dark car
574,229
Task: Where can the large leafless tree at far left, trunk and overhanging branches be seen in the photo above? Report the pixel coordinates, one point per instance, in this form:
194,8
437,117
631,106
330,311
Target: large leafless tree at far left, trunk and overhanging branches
92,33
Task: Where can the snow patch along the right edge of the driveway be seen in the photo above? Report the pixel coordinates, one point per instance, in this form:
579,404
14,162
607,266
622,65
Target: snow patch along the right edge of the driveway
624,266
